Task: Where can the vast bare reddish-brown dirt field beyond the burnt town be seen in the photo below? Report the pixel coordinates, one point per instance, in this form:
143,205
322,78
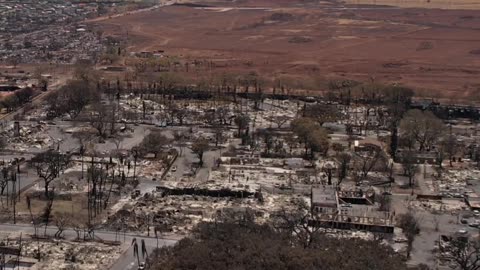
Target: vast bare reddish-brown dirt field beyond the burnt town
436,51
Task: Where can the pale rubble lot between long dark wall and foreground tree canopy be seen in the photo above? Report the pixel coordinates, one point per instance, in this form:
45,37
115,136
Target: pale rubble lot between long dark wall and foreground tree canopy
179,214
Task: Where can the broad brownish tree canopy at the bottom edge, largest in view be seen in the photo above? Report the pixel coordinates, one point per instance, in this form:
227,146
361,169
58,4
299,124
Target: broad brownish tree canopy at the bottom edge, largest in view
240,244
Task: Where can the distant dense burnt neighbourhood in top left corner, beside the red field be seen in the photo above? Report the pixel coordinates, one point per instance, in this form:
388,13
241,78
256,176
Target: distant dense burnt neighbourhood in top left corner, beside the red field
46,31
